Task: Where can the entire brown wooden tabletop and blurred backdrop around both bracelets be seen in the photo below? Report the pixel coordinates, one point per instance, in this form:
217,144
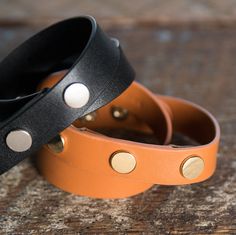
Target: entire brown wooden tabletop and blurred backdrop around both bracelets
184,48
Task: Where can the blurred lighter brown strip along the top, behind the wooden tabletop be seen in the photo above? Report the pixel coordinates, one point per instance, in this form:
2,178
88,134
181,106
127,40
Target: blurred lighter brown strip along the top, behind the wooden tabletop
119,12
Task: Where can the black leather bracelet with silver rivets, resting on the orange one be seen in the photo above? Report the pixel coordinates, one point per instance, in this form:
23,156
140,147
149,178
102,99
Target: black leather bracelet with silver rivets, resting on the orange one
98,73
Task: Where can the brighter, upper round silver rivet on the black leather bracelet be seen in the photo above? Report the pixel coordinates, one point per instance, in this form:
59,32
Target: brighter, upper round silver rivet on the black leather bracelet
76,95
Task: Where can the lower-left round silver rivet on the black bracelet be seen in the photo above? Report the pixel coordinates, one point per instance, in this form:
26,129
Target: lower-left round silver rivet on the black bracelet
19,140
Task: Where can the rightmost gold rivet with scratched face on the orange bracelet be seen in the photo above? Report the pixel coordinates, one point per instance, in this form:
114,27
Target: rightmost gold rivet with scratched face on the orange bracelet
192,167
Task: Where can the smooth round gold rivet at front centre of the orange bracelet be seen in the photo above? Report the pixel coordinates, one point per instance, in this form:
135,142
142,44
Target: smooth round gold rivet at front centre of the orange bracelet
123,162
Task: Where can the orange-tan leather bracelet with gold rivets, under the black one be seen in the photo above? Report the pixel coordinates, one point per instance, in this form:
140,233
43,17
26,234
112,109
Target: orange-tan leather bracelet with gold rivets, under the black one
95,165
